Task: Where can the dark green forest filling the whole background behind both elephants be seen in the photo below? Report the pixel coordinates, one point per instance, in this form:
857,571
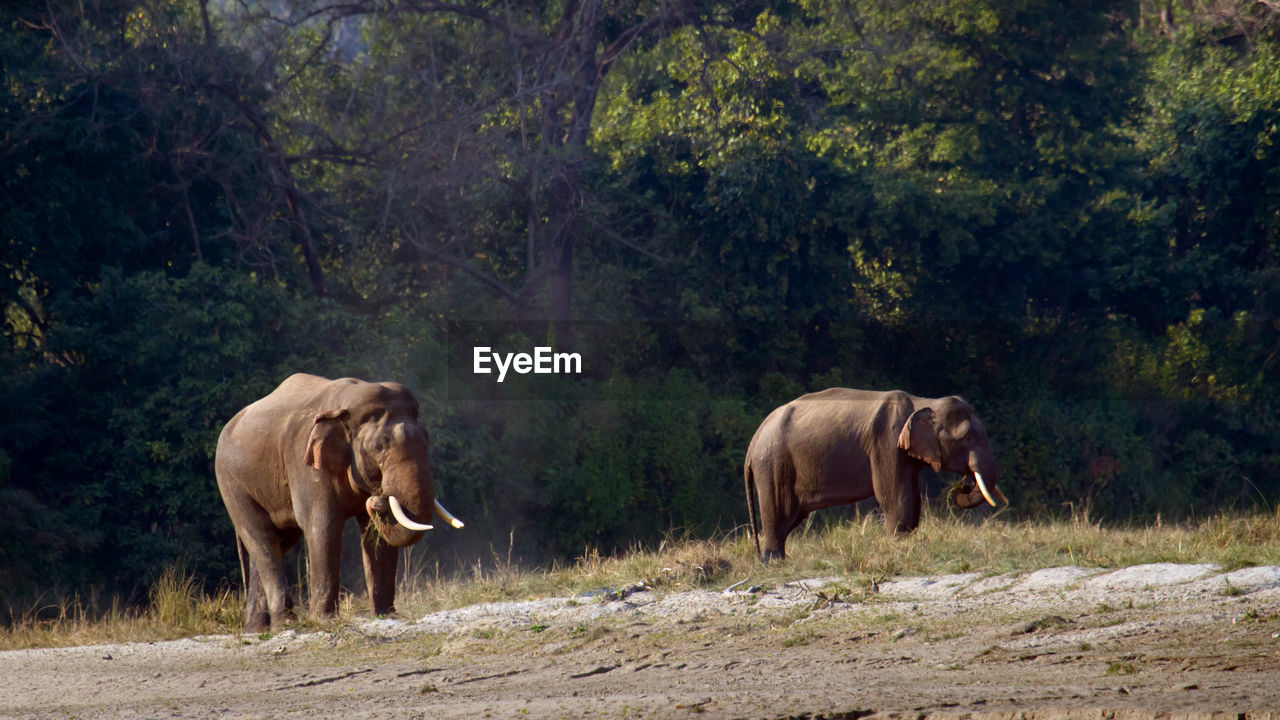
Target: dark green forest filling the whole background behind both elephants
1068,213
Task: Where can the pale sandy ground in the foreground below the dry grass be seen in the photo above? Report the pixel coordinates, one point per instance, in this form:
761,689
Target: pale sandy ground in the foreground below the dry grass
1153,641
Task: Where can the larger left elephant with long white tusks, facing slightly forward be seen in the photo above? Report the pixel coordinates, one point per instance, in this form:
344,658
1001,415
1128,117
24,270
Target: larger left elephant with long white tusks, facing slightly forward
307,458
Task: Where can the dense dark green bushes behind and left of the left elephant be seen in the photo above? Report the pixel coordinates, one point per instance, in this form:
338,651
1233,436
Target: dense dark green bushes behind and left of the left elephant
112,445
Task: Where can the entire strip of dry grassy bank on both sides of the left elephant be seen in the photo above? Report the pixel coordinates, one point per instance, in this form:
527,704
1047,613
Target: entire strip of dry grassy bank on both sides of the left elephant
853,549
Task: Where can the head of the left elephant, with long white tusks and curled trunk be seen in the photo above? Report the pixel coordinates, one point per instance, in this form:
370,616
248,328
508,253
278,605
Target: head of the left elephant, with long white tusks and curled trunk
385,454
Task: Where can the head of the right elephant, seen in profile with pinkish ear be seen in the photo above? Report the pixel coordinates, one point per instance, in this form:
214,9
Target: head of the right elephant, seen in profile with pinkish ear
949,436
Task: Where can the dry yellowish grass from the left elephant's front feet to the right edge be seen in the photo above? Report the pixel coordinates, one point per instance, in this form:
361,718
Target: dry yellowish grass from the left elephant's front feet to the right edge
860,552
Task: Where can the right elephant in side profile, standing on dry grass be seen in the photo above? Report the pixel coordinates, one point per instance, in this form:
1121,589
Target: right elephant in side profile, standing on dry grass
842,446
